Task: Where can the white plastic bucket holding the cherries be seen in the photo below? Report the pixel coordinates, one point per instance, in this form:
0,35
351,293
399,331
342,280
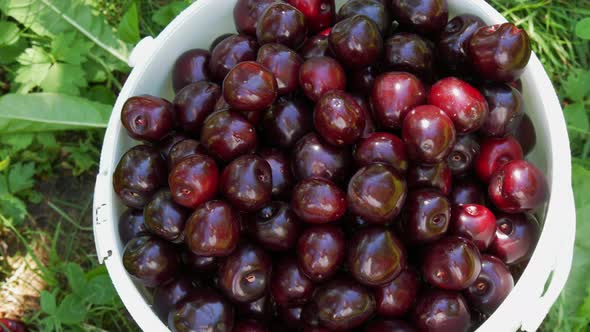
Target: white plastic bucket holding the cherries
202,22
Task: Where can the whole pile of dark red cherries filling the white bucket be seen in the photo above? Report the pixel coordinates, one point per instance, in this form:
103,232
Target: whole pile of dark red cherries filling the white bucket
319,171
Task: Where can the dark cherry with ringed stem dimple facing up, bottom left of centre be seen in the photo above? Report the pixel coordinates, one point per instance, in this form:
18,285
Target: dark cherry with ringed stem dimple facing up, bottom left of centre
245,274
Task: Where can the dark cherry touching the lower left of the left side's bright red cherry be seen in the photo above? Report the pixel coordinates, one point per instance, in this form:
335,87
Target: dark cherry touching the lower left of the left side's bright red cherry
164,217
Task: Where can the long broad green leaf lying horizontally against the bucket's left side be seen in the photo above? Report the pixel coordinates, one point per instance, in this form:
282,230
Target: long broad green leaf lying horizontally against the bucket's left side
37,112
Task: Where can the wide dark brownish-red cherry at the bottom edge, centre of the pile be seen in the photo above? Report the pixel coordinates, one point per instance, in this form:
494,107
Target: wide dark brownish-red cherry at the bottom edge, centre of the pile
343,305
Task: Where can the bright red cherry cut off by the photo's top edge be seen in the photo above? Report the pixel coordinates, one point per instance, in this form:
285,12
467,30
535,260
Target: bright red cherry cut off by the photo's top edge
319,14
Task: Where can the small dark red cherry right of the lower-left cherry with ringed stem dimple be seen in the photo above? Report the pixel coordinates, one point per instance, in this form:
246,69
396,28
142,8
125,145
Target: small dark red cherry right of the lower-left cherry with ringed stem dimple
289,286
